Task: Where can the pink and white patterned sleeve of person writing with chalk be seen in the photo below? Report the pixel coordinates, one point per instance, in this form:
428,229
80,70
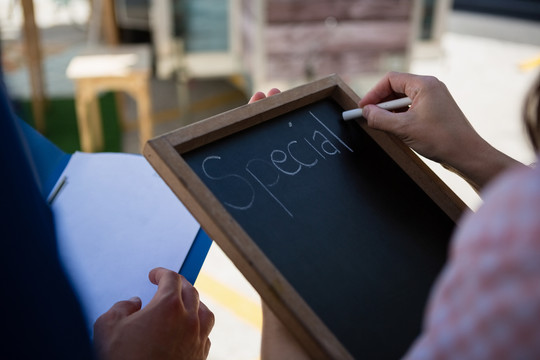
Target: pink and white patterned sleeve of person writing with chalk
486,303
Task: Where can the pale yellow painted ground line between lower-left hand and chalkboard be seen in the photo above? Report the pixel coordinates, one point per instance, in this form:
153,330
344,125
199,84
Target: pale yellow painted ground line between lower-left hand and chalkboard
244,308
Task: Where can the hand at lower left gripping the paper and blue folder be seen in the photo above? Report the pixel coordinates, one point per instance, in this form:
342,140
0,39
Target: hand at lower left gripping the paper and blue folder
174,324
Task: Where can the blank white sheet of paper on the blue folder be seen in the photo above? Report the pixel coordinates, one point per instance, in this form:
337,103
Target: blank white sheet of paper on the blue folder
116,219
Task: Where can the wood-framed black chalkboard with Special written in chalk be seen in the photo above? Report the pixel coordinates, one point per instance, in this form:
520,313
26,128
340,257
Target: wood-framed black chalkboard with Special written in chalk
397,183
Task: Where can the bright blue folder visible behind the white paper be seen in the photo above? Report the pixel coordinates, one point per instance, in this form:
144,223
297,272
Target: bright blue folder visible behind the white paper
49,163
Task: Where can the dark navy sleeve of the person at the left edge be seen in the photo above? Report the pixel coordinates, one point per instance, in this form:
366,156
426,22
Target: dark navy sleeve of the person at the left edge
42,318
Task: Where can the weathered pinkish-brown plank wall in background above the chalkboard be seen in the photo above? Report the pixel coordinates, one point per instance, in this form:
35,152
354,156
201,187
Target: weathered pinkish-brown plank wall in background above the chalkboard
306,39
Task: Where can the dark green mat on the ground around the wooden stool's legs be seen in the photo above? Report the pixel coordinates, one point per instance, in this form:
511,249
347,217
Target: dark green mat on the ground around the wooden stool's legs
61,122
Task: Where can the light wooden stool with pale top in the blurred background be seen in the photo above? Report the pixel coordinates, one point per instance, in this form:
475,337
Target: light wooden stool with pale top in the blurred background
118,68
